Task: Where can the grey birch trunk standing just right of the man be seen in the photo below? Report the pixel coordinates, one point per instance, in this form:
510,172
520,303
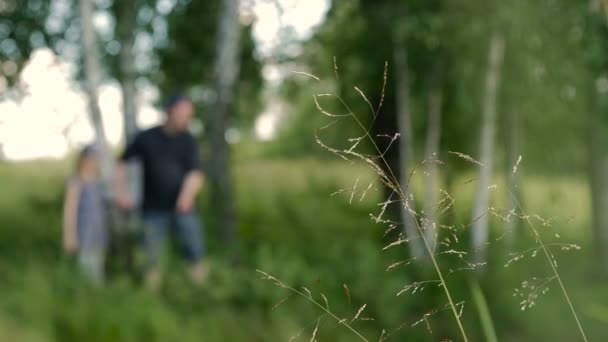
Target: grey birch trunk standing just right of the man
226,72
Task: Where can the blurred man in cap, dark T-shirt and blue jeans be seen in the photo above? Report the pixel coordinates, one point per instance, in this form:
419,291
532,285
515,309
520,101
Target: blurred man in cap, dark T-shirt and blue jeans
172,178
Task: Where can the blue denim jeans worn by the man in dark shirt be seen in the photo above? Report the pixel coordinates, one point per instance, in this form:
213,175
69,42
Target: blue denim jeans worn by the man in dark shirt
186,227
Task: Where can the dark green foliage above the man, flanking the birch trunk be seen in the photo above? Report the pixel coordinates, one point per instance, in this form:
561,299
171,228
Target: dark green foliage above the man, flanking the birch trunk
186,59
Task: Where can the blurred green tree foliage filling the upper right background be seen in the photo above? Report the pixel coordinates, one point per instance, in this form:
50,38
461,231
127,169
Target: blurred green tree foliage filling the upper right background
548,79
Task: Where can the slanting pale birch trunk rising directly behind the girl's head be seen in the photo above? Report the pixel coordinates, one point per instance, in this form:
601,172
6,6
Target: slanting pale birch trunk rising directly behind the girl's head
92,72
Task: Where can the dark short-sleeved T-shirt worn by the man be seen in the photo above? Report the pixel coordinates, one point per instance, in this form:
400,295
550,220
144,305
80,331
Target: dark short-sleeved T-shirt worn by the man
166,159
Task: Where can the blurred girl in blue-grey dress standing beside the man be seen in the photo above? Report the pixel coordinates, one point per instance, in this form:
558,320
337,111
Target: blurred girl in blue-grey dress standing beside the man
84,226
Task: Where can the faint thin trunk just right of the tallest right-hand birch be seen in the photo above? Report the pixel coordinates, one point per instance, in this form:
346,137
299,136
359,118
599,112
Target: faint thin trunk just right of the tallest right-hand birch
513,171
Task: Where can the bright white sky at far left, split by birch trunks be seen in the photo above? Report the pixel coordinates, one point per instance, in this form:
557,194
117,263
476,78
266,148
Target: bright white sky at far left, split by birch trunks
51,118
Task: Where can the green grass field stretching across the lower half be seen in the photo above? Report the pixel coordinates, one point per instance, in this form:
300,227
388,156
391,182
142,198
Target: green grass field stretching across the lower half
293,228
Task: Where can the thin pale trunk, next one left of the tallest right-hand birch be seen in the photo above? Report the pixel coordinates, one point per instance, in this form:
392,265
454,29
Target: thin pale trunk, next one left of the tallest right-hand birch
431,153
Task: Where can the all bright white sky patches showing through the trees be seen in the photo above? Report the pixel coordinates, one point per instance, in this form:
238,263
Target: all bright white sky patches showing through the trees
52,118
